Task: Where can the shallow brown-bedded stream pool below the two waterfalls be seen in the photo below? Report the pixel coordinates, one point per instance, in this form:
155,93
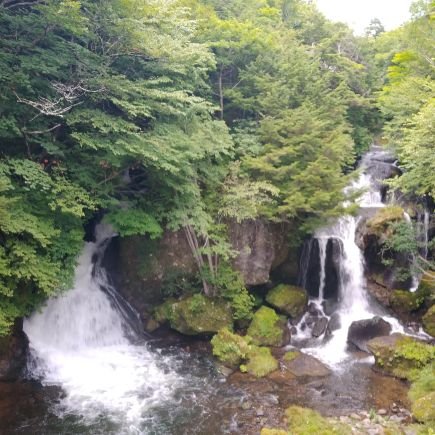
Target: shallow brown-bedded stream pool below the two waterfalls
203,402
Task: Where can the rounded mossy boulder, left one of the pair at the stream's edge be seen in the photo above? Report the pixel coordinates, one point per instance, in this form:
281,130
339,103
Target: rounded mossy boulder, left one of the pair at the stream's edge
231,349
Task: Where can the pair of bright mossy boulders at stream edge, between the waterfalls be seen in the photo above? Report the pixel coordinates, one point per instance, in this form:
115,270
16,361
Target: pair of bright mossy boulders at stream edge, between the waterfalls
235,351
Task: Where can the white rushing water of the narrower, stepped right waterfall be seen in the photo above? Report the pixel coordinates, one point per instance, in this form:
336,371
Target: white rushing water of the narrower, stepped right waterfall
353,301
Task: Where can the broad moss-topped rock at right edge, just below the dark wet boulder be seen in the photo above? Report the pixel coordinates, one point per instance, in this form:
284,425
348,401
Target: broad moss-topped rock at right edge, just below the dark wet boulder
400,356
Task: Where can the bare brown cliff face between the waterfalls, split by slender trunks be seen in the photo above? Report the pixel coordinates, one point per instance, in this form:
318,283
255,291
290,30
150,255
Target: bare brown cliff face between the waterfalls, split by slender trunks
141,267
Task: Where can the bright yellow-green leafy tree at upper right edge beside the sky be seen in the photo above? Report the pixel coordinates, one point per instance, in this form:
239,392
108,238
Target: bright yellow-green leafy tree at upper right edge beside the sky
408,101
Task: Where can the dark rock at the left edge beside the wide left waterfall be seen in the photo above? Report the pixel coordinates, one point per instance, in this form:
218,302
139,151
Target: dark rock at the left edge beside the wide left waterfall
13,353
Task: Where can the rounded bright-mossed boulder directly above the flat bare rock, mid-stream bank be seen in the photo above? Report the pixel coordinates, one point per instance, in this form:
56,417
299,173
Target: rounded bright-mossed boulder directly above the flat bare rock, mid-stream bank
268,329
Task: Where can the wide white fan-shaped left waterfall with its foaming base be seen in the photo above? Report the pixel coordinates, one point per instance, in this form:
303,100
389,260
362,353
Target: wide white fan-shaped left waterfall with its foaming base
81,342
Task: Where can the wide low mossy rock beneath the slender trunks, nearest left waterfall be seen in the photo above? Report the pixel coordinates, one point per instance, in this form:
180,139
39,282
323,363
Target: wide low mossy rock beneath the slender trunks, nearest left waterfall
195,315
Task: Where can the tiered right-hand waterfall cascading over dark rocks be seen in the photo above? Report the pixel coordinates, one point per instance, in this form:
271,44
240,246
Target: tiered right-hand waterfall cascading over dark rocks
352,302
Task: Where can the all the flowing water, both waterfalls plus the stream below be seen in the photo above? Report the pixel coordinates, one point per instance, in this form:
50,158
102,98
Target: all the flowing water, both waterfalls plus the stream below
91,371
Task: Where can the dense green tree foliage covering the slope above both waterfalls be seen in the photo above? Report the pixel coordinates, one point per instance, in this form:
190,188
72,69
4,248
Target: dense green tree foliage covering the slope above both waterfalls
184,114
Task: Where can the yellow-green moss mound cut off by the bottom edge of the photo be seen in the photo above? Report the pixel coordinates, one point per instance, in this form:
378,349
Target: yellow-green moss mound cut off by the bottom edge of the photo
303,421
